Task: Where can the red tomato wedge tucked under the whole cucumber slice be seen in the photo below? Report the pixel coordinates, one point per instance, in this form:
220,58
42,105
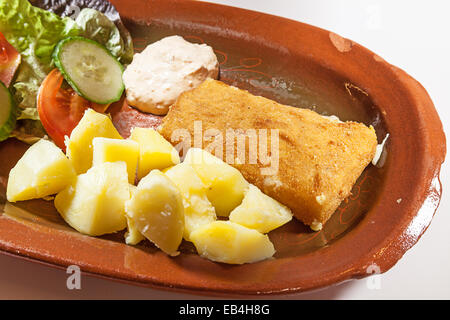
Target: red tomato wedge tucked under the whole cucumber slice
60,108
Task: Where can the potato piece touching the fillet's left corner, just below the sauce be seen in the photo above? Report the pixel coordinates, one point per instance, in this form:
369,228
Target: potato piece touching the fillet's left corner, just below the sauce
155,152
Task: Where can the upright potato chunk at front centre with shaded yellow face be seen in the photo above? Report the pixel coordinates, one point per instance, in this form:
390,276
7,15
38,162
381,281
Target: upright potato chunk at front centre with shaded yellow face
156,208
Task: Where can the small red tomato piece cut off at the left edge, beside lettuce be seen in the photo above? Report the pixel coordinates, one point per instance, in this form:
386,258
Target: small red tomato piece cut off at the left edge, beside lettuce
9,61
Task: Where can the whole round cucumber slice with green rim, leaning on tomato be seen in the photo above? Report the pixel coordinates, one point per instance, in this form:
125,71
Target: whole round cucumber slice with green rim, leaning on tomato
91,70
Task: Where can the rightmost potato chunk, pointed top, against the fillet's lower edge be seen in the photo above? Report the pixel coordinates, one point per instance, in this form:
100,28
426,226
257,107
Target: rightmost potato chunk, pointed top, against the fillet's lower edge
261,212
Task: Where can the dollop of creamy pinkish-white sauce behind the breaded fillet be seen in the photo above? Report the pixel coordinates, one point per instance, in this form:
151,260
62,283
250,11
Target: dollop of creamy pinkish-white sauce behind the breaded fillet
164,70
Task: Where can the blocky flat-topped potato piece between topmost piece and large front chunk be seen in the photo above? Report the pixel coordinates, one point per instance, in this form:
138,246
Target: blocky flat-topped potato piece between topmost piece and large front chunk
113,150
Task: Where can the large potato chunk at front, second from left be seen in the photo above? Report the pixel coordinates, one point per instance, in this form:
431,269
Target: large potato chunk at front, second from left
94,204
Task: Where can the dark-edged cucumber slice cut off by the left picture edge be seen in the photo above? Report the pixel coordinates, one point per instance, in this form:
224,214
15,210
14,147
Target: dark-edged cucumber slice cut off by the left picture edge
7,113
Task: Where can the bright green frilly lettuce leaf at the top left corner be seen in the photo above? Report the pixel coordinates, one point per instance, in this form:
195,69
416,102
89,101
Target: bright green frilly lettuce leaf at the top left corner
34,33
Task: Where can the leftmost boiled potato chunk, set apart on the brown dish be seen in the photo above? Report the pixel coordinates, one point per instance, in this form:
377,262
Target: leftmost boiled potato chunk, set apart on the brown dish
42,171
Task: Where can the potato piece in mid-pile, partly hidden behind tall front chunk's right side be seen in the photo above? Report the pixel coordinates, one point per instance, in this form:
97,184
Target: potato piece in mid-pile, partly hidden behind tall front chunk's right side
197,208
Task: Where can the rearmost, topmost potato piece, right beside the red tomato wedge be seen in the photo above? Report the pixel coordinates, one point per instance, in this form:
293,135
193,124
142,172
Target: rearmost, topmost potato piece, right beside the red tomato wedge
79,146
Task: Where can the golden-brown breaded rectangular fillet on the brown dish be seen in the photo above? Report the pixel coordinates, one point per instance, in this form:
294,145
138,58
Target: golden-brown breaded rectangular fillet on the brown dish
319,159
